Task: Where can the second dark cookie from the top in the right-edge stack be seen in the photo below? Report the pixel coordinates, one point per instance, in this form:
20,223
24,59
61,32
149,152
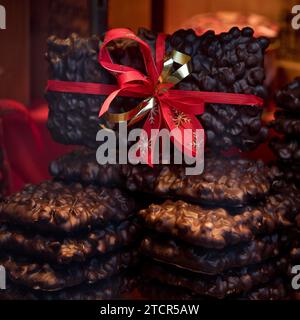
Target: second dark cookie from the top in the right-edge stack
286,123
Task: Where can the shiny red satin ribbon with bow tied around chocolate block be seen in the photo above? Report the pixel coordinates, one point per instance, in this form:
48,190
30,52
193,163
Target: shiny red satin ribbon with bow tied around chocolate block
133,83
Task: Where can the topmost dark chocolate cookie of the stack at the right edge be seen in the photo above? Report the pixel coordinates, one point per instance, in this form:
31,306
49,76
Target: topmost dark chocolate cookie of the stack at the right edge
288,98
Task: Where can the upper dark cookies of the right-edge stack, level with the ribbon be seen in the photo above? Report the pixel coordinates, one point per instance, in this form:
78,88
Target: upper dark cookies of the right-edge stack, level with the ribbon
287,122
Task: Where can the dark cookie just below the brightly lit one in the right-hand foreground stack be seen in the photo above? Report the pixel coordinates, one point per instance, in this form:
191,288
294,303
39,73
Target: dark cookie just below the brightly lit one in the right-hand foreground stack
210,261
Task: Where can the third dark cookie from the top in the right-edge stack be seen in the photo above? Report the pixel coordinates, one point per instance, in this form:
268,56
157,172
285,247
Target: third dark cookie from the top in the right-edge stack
286,149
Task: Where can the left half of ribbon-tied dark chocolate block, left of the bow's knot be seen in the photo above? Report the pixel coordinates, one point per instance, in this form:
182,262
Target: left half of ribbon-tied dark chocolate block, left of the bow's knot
73,118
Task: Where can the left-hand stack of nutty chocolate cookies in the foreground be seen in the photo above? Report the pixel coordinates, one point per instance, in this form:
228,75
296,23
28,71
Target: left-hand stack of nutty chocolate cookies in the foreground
67,241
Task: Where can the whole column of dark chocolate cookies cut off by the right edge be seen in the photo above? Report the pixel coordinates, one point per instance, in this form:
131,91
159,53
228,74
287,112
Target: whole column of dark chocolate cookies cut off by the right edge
287,150
